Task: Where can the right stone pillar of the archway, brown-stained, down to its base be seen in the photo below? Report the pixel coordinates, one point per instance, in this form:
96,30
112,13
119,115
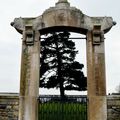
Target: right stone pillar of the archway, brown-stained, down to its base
97,105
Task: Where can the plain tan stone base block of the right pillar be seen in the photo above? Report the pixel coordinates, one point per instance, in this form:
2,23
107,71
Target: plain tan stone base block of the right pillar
97,109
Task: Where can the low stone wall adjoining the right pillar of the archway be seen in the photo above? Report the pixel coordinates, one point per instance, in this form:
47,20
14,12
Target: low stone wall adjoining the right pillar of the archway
113,104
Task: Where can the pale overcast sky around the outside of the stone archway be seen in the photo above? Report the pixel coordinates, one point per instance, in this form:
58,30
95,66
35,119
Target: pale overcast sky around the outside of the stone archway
10,40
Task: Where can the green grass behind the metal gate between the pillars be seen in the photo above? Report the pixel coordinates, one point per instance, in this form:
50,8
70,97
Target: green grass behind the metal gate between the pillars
62,111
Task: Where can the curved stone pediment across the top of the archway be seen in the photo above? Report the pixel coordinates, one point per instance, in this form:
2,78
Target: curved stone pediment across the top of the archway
63,15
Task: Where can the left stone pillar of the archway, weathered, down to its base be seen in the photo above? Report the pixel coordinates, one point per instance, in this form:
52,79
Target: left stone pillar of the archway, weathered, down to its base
29,82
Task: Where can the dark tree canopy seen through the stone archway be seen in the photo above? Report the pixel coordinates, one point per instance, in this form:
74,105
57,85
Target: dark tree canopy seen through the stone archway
58,66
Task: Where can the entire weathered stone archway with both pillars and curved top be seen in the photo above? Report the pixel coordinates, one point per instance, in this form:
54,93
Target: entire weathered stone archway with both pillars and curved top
56,18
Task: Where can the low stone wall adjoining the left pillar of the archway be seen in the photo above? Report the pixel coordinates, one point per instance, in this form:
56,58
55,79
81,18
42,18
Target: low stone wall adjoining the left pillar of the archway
9,106
